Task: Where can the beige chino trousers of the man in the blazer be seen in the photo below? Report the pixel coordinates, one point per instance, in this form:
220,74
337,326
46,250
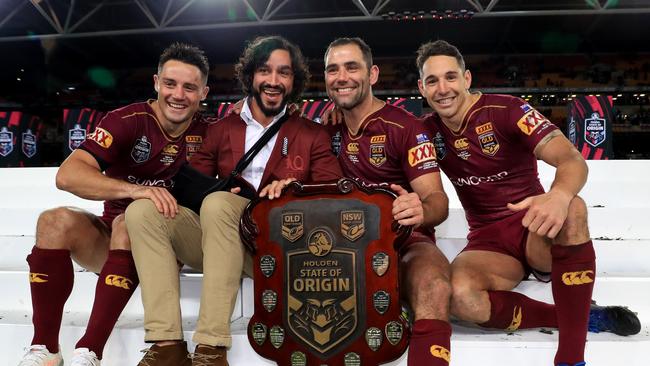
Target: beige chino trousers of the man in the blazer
209,243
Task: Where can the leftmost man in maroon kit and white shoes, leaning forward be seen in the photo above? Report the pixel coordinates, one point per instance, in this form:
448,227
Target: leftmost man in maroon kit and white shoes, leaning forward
132,154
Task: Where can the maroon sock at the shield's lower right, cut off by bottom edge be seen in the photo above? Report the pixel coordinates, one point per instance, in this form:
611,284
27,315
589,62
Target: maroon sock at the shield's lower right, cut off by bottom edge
430,343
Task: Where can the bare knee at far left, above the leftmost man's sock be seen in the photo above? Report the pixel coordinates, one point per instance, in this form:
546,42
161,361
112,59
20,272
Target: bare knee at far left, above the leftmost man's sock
52,226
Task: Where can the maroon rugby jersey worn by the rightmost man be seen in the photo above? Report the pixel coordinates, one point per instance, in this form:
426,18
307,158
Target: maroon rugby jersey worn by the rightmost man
490,159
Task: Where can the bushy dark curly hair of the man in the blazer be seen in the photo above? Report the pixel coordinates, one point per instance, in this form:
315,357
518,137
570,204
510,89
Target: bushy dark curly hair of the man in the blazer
258,52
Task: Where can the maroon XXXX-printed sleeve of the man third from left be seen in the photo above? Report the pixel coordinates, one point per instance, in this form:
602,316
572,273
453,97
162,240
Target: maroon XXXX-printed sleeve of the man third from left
419,153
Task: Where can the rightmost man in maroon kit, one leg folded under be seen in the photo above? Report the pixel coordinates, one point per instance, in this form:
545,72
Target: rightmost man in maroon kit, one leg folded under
488,146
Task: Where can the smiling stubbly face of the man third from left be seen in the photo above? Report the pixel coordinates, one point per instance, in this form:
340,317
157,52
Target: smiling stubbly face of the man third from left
347,77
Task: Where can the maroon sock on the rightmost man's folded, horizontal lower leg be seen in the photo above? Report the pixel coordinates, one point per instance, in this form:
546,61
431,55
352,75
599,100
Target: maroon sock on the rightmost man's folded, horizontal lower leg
511,311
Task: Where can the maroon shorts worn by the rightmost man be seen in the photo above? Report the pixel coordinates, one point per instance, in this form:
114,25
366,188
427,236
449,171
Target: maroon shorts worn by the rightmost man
508,237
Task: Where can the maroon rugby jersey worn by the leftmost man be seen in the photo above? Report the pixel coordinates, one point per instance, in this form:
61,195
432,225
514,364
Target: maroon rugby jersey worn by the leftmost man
130,144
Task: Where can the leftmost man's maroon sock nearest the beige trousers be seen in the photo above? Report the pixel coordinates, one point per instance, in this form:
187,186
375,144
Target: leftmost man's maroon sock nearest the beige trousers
115,285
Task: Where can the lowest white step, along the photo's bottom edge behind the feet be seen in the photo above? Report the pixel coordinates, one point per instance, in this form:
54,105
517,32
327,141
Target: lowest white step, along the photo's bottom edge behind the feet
470,347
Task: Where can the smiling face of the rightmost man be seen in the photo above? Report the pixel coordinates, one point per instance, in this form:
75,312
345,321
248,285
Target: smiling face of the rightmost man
445,86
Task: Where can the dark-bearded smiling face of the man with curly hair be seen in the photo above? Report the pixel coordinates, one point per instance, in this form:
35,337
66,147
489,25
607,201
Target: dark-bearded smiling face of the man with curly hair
273,83
